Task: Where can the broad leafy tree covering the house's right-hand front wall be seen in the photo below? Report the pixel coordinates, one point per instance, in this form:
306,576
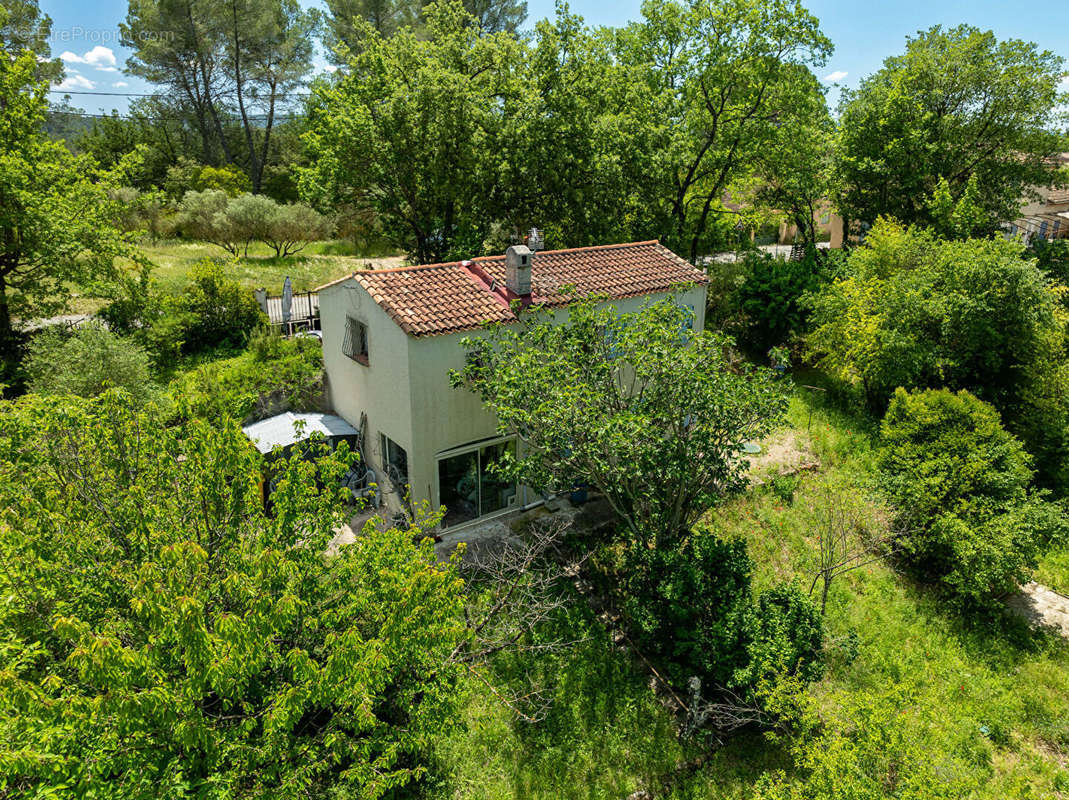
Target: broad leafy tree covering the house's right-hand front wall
639,406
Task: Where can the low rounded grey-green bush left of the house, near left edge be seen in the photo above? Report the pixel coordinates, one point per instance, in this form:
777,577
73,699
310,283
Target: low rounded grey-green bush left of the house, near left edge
86,361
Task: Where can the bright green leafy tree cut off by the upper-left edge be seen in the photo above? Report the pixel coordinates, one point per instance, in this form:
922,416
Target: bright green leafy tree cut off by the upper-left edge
56,216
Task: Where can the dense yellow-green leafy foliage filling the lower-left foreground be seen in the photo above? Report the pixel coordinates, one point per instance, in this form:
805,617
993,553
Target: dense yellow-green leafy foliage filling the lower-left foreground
163,638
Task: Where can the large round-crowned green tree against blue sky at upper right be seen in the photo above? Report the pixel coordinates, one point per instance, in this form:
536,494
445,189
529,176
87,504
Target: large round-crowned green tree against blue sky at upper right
957,105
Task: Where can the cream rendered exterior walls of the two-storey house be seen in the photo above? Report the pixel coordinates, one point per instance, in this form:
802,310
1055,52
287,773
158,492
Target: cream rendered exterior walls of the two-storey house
406,389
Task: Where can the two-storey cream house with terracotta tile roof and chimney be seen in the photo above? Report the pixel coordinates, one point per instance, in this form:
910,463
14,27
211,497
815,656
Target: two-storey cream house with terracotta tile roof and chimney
391,339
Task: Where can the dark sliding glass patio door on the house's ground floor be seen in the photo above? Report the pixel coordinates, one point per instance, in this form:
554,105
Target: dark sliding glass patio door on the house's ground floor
468,488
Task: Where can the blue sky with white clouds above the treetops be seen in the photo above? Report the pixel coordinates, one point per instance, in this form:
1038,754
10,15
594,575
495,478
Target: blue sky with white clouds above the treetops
87,33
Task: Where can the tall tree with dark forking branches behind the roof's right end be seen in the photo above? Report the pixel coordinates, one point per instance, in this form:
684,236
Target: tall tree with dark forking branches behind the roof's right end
732,83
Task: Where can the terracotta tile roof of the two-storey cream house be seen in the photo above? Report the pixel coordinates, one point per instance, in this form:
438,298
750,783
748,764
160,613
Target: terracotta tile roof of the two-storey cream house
461,296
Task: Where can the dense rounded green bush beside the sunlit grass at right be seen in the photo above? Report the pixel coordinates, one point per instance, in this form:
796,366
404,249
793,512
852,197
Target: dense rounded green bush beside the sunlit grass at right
960,483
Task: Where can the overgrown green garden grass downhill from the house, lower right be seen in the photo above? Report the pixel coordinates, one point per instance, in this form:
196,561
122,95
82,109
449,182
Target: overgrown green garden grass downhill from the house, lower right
986,700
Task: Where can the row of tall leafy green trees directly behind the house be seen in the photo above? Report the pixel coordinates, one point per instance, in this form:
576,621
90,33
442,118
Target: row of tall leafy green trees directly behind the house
625,134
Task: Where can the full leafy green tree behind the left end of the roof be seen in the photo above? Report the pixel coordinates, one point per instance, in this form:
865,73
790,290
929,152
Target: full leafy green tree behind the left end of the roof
413,130
